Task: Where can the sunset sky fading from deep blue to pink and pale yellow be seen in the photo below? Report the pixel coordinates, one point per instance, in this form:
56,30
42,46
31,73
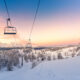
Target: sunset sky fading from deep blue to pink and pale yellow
57,22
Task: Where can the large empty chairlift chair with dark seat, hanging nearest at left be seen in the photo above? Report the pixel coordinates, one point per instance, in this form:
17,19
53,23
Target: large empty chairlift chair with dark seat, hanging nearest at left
9,29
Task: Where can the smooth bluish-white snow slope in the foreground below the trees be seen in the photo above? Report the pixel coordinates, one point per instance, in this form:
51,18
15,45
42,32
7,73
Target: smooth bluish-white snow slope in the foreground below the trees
65,69
